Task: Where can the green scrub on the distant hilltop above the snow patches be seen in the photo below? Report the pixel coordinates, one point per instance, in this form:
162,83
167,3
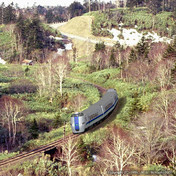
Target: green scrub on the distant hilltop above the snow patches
162,22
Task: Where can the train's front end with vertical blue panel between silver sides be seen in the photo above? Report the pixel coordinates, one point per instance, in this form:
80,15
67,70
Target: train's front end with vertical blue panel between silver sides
78,122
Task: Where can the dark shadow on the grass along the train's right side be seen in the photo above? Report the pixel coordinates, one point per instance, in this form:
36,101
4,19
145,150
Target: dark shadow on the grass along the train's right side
110,117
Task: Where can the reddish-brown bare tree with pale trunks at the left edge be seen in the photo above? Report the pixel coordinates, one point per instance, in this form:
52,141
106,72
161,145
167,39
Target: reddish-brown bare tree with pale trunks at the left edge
11,111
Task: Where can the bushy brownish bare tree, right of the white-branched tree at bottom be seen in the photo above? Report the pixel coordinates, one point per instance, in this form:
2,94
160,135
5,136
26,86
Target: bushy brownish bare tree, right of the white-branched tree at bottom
148,134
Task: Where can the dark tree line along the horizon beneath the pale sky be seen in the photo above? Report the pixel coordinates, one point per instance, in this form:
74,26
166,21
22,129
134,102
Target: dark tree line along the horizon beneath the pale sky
10,13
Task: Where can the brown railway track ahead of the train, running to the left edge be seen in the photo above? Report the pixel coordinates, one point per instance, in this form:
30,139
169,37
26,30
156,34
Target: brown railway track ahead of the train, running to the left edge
33,153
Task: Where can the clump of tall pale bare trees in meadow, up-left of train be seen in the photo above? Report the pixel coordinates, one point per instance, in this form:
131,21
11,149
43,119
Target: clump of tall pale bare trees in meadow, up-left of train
50,73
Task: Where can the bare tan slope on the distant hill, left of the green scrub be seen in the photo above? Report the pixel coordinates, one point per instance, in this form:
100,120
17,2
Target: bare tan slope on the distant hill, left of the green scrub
81,27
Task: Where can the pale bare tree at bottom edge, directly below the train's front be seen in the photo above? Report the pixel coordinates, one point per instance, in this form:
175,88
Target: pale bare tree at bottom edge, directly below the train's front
69,155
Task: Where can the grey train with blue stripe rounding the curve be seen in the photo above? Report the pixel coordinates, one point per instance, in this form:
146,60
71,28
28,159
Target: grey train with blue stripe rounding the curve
80,121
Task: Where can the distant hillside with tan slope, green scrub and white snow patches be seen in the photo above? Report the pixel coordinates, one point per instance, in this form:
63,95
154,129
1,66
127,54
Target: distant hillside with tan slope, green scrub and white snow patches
96,27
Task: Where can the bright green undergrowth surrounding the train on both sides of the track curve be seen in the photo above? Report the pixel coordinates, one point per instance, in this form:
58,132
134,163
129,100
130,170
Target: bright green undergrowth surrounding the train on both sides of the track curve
132,100
